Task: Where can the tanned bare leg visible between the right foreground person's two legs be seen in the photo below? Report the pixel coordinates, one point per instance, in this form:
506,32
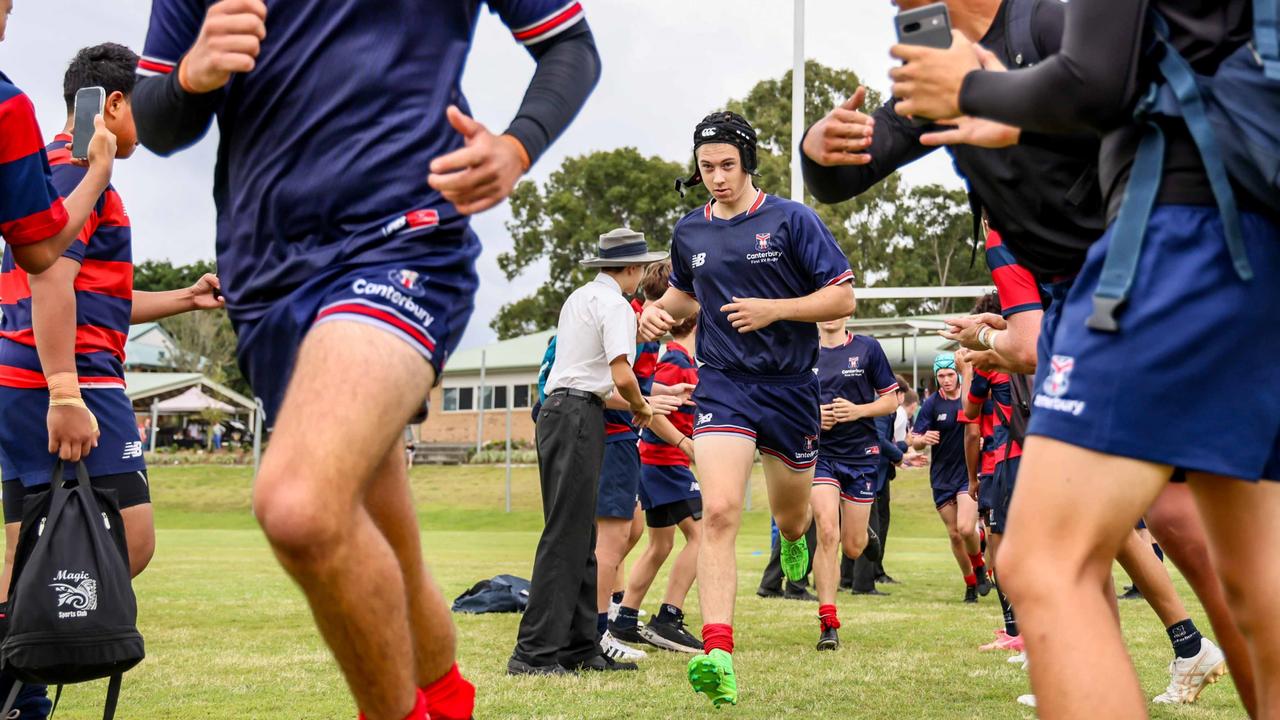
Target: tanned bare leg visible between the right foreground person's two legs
1178,528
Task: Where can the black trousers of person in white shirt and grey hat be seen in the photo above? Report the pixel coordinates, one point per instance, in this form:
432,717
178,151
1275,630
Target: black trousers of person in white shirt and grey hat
560,623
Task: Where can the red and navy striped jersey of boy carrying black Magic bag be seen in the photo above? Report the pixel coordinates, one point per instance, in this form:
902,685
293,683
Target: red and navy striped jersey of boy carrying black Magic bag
104,291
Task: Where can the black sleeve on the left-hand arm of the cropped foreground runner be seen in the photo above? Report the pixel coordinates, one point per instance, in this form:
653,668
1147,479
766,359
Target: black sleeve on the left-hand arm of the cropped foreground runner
168,117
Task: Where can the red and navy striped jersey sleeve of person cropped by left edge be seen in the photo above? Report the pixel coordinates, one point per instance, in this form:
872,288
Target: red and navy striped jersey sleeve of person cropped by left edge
31,211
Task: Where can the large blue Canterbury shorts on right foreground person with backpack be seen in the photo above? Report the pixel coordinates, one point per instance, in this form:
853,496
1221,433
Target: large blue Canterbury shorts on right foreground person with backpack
1190,379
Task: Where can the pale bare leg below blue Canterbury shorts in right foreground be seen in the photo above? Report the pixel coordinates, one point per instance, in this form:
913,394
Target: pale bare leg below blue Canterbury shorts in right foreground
1057,563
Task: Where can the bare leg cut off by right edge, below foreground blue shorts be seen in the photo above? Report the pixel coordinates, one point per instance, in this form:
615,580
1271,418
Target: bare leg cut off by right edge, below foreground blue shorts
1244,532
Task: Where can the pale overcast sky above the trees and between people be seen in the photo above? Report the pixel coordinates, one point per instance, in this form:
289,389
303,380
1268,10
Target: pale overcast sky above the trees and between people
721,49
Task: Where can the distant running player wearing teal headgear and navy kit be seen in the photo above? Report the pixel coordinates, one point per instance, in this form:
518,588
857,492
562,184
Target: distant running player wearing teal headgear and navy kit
941,425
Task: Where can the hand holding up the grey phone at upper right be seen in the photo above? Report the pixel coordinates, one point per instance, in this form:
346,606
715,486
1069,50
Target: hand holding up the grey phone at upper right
929,83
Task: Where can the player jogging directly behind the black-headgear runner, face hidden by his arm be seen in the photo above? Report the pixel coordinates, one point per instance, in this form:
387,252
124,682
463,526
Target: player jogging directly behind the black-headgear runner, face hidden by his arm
858,386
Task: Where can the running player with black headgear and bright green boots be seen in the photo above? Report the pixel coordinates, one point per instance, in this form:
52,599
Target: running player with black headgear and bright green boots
764,271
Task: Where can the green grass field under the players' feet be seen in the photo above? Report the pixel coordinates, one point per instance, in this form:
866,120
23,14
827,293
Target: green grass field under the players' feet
228,635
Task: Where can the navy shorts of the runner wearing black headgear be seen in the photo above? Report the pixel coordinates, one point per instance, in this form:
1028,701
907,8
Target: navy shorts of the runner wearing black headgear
779,414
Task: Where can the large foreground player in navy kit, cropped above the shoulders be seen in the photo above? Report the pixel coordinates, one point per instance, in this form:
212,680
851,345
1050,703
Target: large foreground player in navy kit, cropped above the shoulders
349,165
